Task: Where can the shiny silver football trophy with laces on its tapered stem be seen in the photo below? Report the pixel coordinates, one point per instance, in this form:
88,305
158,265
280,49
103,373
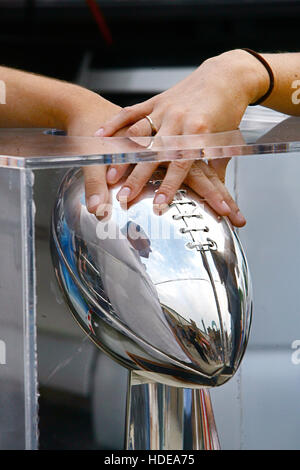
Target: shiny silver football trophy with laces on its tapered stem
166,294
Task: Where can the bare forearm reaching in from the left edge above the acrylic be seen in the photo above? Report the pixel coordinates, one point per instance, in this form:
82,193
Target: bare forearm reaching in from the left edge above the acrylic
37,101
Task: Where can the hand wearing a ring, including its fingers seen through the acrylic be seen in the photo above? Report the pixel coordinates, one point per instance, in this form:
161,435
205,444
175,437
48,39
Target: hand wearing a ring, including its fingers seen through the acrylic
212,99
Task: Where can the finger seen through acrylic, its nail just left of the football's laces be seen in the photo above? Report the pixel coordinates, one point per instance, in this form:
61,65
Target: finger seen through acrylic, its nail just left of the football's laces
174,178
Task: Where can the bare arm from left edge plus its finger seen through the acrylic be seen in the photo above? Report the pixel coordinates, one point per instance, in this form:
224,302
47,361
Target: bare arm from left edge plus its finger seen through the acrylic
38,101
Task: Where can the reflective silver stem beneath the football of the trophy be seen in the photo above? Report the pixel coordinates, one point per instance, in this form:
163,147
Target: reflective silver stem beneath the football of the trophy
160,417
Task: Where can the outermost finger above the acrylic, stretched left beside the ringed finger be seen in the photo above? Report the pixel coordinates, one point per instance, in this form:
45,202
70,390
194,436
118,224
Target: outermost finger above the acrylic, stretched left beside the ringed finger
125,117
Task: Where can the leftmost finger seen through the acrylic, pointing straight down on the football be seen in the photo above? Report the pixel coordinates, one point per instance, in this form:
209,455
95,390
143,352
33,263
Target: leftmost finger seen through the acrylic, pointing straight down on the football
96,192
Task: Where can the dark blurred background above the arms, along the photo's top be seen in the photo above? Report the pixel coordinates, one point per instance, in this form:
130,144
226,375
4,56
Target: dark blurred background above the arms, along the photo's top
143,46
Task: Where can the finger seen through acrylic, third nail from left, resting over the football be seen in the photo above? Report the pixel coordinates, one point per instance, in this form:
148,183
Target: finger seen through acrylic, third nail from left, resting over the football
135,182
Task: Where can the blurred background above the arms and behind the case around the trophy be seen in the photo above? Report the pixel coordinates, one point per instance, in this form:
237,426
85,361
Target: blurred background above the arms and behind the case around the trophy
128,51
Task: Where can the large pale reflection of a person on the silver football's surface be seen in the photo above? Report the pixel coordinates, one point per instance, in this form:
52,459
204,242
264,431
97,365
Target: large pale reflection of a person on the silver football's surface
123,275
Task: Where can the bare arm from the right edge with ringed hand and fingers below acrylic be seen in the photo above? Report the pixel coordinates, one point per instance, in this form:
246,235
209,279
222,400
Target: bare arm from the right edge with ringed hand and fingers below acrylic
212,99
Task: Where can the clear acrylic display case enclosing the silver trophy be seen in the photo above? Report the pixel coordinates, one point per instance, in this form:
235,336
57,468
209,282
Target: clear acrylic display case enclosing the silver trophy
57,390
